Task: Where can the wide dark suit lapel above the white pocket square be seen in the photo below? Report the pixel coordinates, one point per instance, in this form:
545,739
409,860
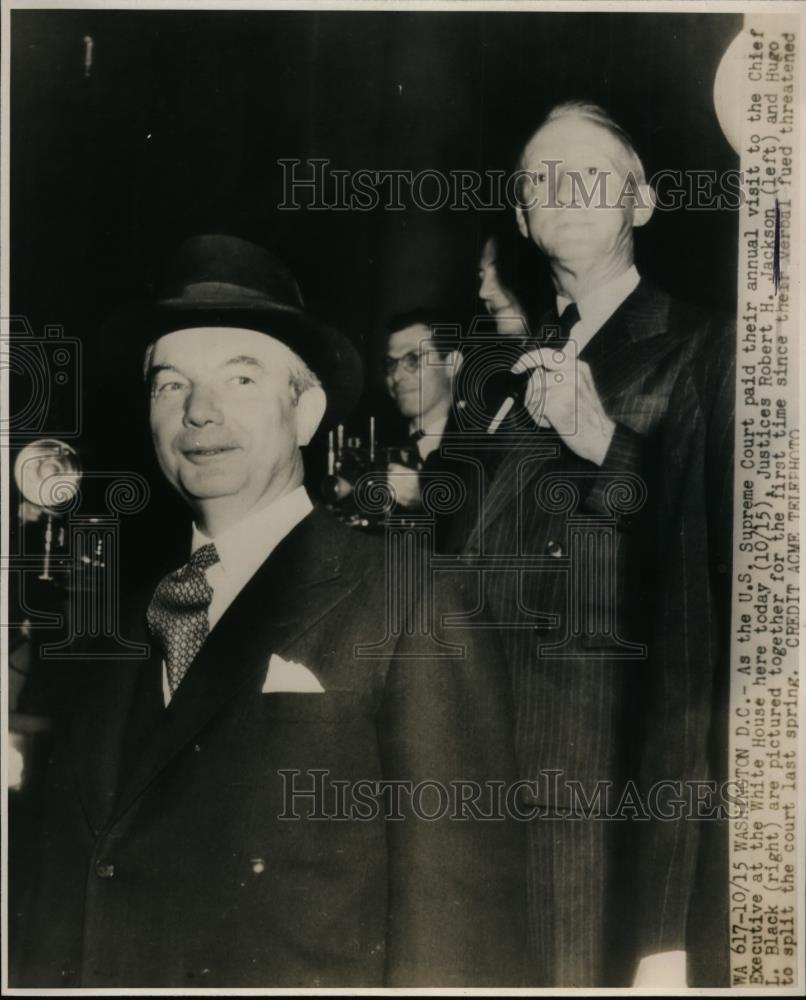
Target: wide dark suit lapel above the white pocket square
299,583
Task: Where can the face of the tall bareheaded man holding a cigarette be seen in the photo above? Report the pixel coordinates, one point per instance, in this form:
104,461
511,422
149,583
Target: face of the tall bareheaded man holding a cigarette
555,215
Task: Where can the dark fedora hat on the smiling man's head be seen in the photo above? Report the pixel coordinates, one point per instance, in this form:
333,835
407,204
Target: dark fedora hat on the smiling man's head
220,280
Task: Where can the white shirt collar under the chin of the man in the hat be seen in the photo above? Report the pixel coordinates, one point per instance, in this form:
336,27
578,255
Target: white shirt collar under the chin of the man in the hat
244,546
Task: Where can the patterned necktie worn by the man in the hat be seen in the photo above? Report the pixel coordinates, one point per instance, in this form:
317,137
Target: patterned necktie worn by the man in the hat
177,615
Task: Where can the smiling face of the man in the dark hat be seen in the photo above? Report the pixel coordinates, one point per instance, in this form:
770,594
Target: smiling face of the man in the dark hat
224,418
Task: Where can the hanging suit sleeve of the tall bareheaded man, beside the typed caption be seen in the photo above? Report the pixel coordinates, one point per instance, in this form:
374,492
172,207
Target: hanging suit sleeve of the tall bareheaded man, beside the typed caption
685,732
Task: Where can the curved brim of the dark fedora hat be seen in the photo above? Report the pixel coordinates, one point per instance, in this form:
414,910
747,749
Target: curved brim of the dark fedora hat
329,354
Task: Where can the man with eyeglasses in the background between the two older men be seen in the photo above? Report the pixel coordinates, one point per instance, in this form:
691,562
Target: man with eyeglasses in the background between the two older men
421,362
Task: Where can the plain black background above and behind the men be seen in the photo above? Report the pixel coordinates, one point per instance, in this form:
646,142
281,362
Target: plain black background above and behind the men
178,125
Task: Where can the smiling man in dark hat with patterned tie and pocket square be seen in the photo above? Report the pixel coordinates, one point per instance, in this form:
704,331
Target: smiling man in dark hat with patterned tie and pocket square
237,808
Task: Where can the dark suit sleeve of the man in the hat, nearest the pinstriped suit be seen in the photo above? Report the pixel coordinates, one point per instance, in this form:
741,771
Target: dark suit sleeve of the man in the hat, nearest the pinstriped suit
457,894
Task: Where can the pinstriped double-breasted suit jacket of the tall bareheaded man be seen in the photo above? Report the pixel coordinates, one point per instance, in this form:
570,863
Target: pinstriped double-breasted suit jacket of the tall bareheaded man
606,687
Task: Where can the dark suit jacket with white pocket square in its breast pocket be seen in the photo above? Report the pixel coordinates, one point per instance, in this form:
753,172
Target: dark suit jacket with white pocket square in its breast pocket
165,861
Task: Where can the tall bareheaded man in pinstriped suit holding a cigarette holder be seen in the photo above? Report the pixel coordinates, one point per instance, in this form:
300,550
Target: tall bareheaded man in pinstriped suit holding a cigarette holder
615,631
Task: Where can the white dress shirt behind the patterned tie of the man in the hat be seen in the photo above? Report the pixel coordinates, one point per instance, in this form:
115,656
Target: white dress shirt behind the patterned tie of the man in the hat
242,549
